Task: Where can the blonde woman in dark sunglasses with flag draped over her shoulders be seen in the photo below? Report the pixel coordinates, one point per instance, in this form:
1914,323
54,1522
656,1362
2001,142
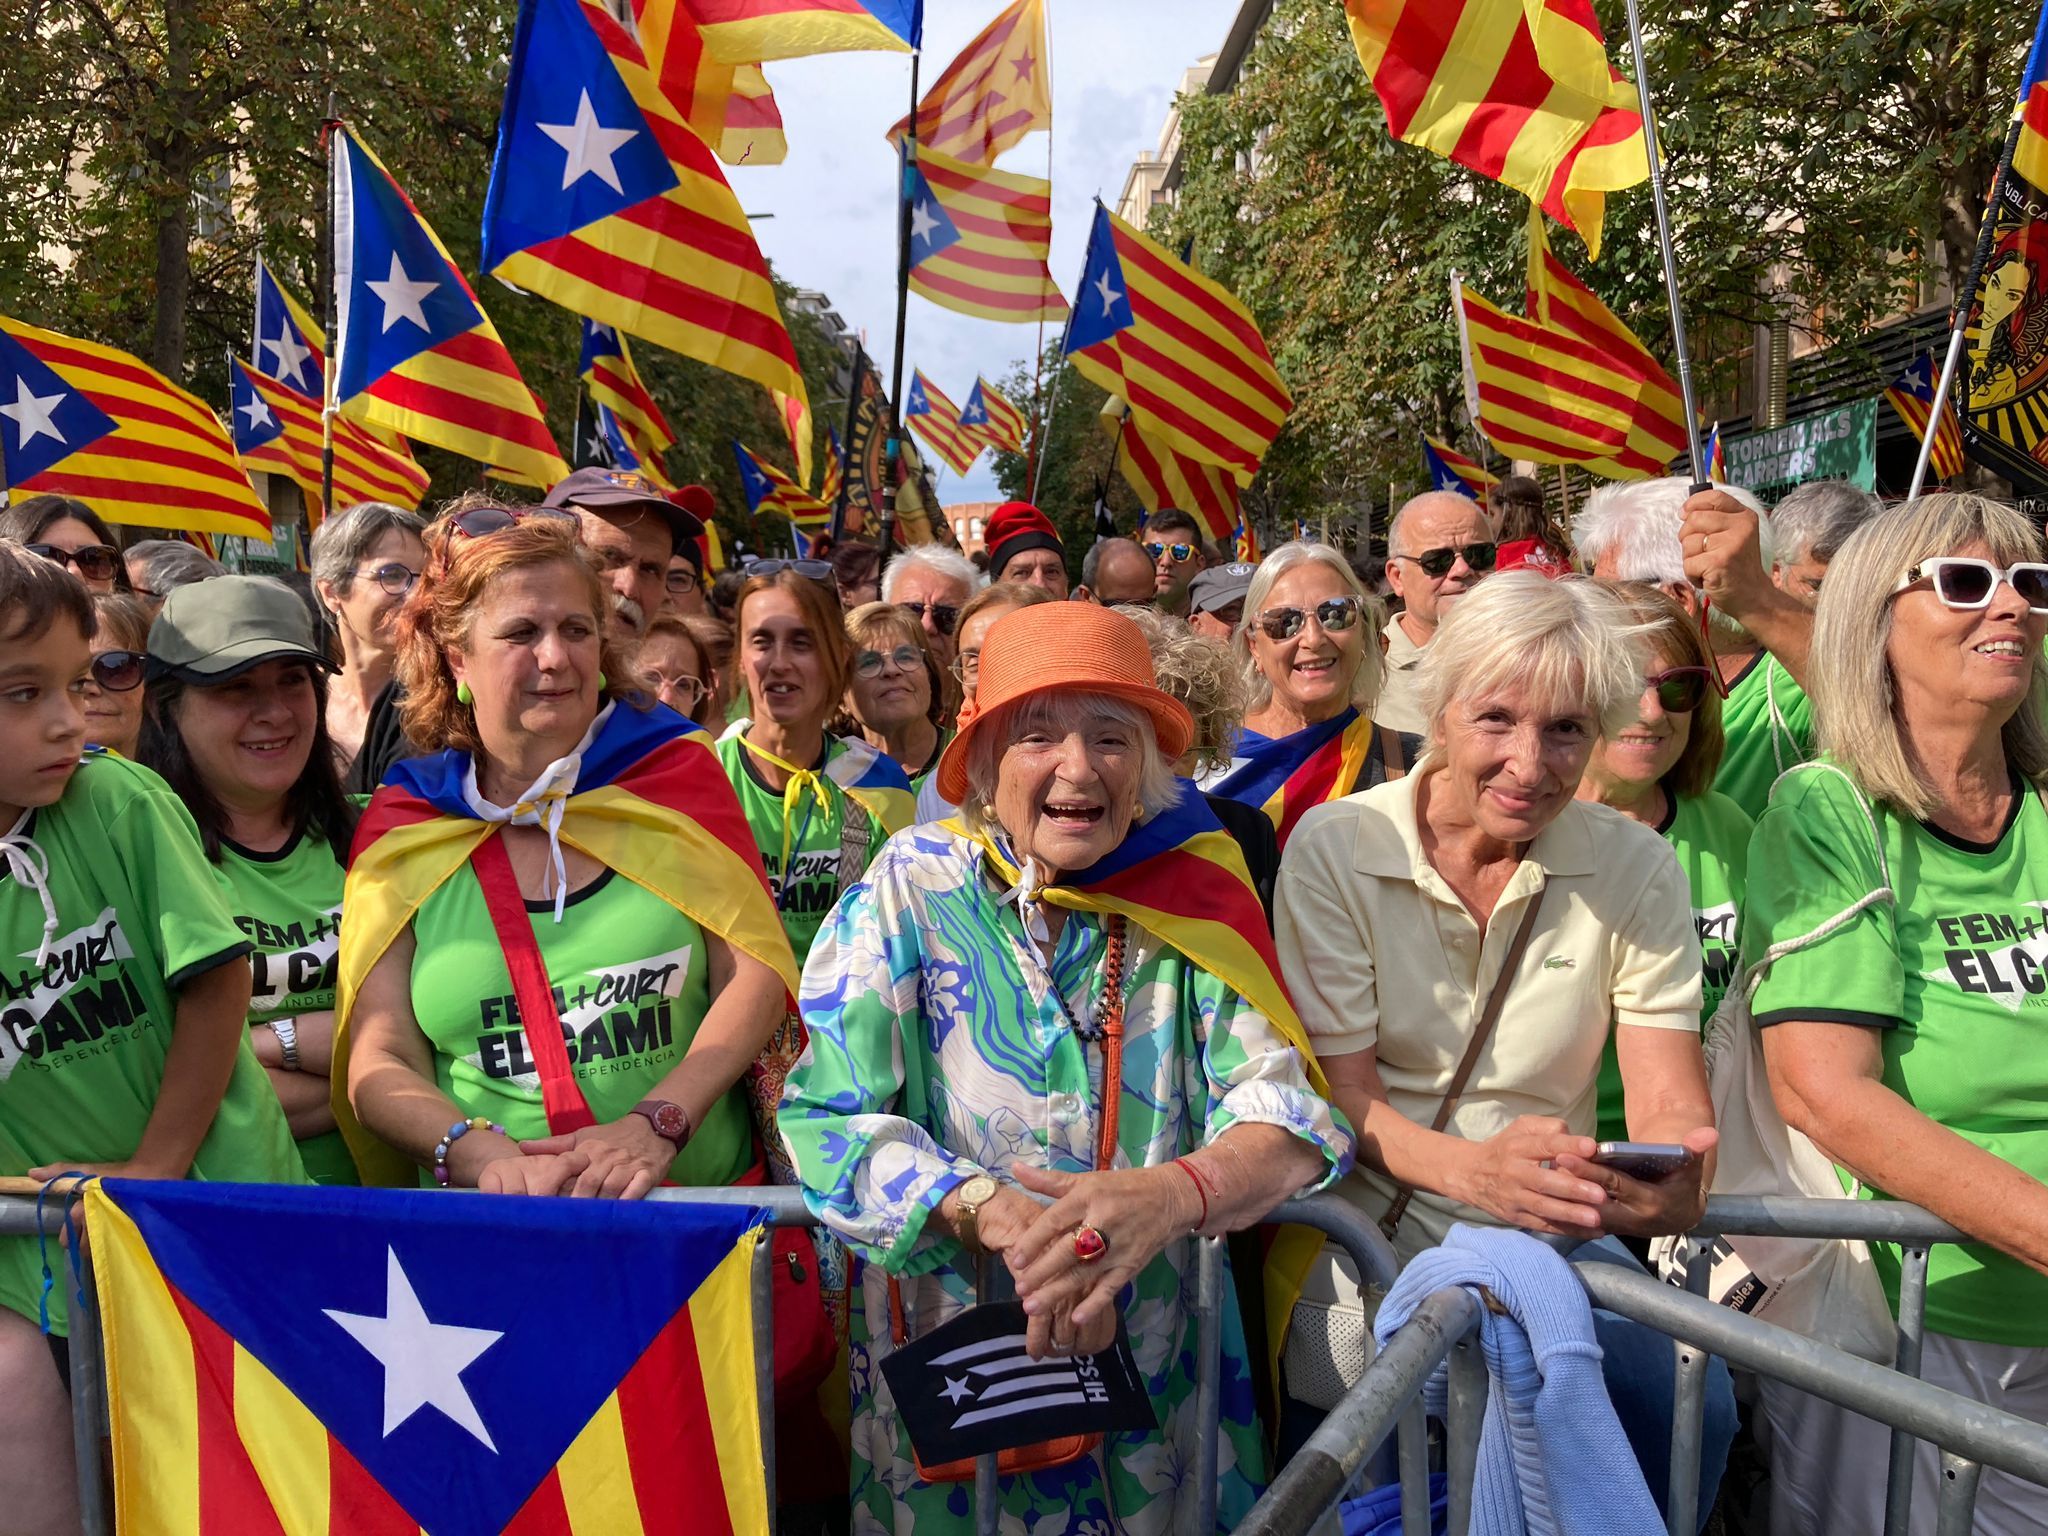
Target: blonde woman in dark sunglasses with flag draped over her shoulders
1310,642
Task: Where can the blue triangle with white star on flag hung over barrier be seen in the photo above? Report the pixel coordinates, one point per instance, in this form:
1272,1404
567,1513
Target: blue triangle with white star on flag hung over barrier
454,1345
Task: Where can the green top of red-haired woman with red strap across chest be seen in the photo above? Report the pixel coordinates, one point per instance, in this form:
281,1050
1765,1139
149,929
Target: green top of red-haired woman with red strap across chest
632,986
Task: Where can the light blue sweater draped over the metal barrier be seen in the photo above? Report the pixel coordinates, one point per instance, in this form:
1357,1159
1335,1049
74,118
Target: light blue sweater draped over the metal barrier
1553,1459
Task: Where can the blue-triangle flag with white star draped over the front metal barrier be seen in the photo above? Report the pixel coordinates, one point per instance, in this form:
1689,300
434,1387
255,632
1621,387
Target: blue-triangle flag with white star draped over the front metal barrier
366,1361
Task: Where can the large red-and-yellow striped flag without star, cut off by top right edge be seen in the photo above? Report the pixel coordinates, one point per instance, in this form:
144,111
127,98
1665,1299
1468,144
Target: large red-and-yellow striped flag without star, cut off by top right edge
1519,91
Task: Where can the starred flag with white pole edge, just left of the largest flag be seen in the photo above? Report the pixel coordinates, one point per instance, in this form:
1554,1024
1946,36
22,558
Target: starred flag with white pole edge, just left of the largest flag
415,349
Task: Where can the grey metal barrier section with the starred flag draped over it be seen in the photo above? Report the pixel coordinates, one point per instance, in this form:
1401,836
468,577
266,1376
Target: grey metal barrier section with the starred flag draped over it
1326,1213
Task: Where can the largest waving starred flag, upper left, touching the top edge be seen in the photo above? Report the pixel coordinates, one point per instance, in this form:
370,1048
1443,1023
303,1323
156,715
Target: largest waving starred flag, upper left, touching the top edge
607,204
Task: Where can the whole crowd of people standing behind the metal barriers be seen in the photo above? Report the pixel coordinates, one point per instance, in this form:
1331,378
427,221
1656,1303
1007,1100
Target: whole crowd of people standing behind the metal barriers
1050,925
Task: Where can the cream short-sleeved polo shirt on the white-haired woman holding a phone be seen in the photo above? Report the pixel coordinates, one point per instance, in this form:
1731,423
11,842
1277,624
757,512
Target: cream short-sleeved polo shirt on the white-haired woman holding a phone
1381,955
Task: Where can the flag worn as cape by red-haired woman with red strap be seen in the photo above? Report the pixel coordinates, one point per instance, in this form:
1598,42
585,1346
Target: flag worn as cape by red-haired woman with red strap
650,802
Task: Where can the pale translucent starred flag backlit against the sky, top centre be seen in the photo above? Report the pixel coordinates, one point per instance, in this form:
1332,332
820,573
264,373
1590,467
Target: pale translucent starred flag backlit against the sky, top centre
980,241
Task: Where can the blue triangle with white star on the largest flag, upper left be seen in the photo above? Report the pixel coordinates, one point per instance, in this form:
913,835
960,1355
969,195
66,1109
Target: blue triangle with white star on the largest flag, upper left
572,142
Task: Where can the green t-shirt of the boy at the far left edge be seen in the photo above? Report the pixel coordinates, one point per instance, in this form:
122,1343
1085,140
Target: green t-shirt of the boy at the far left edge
83,1037
